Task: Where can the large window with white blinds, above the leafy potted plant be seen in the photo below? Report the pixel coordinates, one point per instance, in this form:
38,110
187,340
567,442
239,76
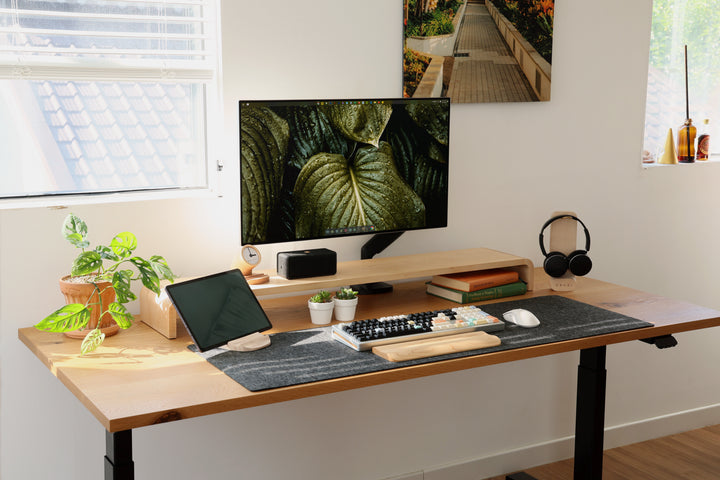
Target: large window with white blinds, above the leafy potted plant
106,95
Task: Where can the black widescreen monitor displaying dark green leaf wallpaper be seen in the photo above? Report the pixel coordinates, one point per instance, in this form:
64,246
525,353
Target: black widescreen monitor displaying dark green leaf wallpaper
325,168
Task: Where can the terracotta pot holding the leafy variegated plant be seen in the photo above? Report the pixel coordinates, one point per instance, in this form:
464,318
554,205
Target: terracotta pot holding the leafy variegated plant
80,292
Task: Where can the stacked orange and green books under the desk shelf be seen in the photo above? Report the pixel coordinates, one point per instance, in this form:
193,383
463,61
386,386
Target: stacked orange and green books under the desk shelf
477,286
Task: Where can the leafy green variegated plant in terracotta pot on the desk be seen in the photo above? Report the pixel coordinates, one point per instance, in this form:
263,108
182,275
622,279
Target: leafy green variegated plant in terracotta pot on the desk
98,286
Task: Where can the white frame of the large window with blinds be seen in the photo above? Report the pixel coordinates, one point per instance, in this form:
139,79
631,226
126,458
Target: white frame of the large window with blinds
25,66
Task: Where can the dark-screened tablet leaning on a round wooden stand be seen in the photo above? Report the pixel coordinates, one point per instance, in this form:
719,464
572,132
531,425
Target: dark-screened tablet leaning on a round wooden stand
218,309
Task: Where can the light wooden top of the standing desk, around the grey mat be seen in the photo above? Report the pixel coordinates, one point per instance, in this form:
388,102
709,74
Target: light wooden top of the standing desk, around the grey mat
168,382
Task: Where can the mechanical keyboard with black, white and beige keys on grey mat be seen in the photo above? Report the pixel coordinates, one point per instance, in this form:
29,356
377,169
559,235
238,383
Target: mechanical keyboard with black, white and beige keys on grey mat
365,334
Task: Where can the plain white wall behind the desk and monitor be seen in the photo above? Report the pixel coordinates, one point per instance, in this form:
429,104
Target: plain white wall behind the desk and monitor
512,165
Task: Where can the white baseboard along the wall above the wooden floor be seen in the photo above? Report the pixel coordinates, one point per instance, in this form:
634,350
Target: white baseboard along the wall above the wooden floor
562,448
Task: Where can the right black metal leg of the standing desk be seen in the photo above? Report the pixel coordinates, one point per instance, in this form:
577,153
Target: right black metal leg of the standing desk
590,414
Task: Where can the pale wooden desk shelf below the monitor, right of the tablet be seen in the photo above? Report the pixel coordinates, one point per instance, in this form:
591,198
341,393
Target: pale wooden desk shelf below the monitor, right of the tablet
404,267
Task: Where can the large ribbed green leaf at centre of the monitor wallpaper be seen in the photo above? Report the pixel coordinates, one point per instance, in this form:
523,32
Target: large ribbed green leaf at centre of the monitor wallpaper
333,192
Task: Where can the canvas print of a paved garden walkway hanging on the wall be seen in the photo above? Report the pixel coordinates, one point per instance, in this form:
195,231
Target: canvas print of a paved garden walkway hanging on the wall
478,51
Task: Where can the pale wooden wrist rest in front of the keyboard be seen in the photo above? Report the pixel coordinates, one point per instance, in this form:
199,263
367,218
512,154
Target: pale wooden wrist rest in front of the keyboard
431,347
